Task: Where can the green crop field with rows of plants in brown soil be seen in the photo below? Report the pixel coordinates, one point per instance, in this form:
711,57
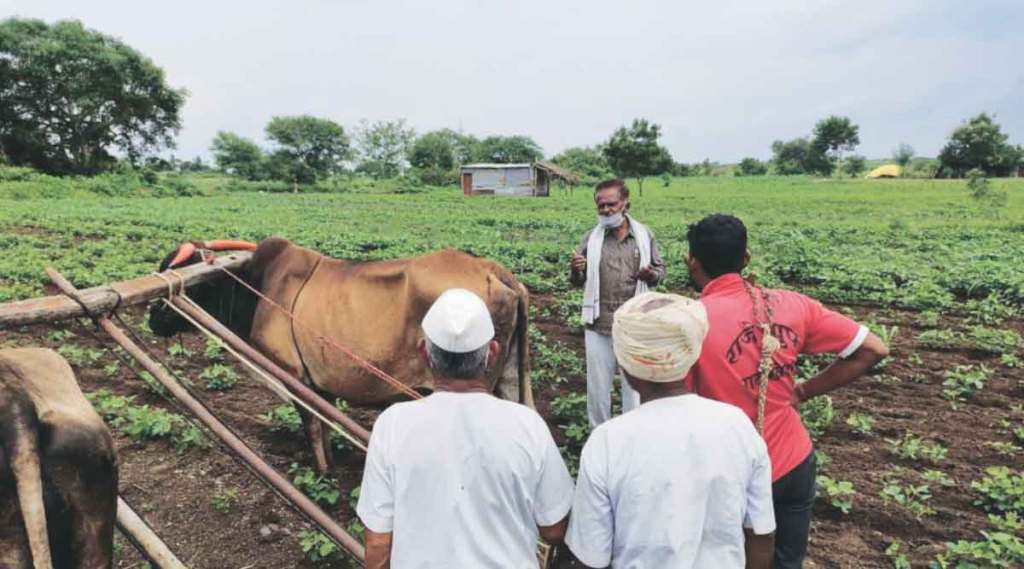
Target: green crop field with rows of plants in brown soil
917,460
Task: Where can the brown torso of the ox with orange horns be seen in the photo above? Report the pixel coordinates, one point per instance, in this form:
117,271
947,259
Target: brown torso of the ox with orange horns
373,309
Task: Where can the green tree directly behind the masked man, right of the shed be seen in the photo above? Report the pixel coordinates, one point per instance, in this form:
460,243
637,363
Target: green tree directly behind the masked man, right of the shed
633,152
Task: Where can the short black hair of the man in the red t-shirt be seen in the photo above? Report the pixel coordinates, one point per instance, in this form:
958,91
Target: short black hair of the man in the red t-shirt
719,242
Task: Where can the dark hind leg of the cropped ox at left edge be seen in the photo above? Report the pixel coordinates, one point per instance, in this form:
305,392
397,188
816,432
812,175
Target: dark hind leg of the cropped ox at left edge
81,463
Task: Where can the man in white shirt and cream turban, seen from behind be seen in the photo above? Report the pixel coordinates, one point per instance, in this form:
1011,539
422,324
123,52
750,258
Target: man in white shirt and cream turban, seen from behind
682,482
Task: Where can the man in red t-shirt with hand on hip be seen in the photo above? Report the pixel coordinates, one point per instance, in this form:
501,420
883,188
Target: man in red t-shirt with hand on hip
730,366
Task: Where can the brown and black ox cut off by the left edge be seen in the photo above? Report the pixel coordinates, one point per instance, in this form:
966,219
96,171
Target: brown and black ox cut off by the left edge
59,477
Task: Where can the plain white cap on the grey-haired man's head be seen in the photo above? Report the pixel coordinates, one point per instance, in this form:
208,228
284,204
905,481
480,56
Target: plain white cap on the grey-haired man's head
459,322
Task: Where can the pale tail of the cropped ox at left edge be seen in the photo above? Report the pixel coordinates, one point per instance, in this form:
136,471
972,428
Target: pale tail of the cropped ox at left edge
19,441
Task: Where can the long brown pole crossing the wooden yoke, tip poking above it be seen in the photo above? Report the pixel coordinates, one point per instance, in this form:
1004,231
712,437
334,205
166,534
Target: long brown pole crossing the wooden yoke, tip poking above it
261,467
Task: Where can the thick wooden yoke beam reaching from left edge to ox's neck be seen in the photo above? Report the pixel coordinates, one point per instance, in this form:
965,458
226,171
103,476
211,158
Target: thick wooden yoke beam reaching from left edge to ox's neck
101,300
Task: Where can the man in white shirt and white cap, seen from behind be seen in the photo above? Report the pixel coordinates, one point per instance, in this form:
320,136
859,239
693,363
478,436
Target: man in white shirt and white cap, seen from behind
461,479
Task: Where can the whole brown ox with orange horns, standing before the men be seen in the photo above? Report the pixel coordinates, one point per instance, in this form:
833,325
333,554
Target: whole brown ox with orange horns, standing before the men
372,309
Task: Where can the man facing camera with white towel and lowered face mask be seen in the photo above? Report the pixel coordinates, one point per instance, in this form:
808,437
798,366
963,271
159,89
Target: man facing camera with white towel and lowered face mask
616,261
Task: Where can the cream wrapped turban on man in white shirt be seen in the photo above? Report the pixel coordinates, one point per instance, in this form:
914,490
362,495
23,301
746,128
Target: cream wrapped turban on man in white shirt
658,337
